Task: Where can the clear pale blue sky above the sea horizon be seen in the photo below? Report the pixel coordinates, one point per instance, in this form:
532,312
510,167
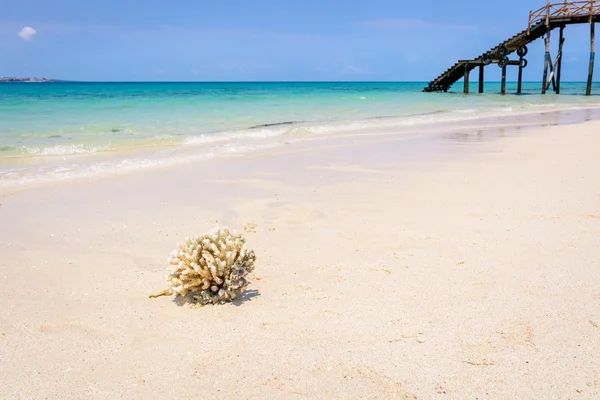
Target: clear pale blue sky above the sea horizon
187,40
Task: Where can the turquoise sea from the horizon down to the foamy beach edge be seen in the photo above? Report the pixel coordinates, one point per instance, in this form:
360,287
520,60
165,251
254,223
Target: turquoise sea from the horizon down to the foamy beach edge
51,131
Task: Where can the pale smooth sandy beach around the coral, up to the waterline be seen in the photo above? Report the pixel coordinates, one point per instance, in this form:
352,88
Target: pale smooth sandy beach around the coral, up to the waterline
462,267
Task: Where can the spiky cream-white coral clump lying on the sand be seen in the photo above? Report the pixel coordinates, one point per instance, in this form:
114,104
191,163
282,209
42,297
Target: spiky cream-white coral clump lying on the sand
210,268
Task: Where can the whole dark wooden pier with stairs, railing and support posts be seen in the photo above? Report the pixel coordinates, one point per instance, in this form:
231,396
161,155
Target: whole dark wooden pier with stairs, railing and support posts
541,23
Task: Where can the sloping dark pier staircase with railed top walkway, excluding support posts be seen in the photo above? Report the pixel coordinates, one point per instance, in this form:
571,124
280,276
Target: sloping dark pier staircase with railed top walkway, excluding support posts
541,22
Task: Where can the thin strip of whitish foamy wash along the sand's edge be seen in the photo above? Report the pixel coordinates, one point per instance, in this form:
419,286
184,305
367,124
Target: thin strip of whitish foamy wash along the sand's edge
39,171
